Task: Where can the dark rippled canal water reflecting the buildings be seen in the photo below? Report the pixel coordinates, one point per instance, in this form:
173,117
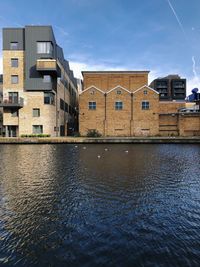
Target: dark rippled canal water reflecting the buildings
100,205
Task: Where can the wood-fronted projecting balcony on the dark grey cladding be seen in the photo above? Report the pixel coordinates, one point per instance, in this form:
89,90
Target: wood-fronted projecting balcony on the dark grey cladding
48,66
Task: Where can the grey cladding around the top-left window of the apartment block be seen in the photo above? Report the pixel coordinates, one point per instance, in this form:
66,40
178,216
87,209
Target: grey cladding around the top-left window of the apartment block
13,35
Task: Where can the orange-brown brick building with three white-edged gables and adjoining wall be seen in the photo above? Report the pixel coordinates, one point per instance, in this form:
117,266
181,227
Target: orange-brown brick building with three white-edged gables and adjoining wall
119,103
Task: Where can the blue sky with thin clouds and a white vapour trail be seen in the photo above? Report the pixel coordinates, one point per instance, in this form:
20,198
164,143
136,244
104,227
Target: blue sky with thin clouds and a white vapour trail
162,36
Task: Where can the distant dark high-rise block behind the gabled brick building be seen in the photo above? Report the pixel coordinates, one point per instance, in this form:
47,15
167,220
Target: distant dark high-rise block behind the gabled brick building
171,87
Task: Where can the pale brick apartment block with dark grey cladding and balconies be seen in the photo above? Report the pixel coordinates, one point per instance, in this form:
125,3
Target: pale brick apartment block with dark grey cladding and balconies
39,89
